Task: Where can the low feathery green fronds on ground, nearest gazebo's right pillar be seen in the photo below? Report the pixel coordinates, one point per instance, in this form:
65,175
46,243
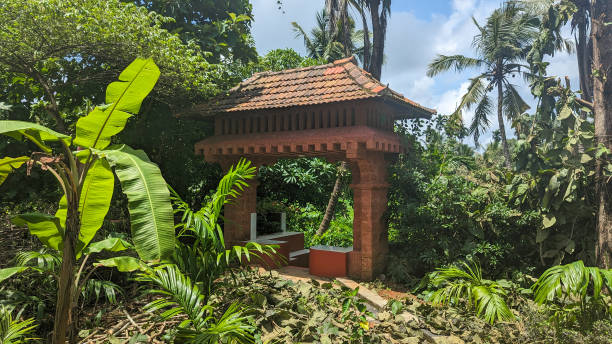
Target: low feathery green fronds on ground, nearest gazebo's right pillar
465,283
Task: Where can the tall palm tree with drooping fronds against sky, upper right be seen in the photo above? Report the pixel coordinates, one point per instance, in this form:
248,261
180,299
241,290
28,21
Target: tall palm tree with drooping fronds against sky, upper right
501,46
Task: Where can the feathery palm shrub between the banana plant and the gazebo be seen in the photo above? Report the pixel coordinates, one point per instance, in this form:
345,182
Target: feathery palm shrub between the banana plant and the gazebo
200,260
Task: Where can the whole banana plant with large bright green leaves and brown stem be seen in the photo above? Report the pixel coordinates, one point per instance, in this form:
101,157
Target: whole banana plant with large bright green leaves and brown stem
83,167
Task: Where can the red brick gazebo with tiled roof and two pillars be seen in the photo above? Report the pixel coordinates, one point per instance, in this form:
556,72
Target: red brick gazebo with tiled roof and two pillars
337,111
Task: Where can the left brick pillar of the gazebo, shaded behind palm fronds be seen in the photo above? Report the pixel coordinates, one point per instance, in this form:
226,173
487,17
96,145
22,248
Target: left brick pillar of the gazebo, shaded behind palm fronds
237,214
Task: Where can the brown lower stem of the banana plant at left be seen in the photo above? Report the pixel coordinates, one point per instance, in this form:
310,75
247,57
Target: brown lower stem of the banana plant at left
63,310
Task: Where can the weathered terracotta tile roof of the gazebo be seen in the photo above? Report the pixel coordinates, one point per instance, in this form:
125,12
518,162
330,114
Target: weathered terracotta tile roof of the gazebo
339,81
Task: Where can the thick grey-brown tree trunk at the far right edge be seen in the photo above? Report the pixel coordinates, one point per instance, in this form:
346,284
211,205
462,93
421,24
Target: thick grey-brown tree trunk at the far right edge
601,35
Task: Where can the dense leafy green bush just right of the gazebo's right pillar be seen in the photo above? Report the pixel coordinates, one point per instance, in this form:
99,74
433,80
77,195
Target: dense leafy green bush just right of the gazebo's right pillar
448,201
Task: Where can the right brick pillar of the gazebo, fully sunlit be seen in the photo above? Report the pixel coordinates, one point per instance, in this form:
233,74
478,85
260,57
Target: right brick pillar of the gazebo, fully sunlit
370,236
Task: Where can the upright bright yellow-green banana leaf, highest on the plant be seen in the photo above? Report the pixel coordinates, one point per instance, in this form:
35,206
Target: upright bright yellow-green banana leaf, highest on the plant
124,98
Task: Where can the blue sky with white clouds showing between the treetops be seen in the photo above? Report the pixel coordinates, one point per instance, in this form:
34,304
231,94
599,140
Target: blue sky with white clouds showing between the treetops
417,32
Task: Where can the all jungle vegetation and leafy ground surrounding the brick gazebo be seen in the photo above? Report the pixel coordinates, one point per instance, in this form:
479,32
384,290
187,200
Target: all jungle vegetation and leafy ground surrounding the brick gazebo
502,242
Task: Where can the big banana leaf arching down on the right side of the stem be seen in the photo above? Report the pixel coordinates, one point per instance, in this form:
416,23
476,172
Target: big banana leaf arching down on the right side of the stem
151,214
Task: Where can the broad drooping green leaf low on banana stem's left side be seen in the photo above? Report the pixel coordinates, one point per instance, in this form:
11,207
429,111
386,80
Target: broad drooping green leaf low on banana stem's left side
46,227
